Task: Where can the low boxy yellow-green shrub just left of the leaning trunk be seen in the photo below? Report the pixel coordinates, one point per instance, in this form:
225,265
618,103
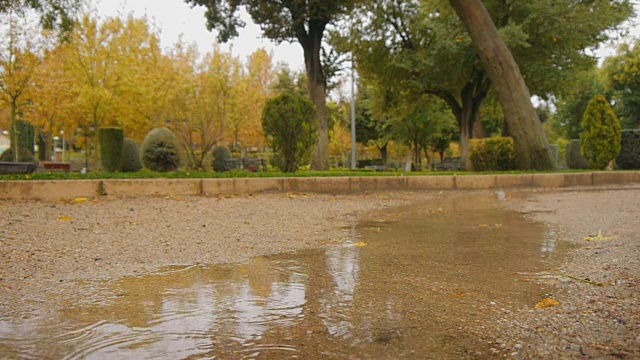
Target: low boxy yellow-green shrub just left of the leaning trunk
493,154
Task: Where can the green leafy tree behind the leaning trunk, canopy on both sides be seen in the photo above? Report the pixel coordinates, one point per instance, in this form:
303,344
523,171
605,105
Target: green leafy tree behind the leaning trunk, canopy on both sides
422,47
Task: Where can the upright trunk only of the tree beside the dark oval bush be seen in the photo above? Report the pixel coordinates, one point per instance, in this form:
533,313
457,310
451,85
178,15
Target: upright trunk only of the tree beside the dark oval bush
311,45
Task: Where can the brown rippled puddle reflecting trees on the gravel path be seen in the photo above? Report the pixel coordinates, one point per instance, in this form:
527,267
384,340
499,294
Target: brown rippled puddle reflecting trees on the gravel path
422,282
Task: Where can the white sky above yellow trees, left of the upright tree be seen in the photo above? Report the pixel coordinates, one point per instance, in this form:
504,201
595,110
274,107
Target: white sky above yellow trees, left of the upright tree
175,18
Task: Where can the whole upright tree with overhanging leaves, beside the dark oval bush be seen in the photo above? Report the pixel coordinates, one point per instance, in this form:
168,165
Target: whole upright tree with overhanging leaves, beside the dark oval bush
304,21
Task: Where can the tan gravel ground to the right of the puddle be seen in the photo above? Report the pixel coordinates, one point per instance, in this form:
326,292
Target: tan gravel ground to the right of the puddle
592,321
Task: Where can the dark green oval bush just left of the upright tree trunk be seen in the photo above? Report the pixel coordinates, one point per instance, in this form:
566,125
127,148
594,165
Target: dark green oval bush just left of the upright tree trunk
289,120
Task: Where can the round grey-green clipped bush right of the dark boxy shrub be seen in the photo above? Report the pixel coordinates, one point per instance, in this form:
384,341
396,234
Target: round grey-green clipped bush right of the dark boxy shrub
159,151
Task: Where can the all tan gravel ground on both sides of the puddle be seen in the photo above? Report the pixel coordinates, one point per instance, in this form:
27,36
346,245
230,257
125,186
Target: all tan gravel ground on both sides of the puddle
44,247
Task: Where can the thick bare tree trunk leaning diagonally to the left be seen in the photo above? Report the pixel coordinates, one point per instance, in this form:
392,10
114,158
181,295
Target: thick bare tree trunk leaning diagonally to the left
522,120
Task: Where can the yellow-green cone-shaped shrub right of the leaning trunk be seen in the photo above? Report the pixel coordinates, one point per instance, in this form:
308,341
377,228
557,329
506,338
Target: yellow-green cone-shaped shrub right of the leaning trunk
600,133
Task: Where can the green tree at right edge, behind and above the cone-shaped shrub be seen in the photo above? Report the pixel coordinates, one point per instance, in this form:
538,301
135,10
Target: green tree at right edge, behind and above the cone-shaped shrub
623,75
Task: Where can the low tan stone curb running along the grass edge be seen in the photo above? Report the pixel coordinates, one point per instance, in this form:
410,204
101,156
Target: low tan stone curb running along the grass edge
70,189
